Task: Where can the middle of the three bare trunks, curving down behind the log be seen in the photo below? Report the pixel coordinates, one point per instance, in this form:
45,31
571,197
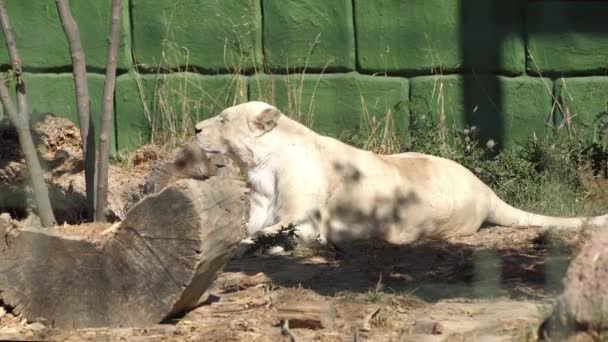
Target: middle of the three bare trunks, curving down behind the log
87,129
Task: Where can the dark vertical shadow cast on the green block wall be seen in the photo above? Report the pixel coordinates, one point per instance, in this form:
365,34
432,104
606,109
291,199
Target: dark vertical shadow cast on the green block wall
482,32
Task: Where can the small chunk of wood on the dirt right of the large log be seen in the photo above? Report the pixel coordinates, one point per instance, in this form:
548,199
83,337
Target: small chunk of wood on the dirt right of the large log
307,314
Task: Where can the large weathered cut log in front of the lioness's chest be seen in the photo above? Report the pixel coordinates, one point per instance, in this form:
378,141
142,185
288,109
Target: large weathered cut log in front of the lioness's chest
154,264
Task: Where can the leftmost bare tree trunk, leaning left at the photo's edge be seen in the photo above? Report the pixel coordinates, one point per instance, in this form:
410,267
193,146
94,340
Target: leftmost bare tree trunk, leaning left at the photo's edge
21,121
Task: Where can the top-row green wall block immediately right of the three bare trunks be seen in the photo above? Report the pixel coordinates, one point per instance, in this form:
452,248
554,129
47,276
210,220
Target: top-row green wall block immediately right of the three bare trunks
212,36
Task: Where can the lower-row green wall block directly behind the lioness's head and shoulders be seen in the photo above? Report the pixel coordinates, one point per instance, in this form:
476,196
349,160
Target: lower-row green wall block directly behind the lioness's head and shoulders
335,104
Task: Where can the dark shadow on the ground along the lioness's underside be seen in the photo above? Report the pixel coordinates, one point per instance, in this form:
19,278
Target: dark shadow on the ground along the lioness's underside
430,269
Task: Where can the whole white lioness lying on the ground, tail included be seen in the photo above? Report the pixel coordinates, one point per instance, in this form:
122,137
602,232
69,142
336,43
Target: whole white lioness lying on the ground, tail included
337,192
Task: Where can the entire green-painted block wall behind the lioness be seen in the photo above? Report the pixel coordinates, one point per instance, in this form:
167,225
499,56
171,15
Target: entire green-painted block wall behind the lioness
507,67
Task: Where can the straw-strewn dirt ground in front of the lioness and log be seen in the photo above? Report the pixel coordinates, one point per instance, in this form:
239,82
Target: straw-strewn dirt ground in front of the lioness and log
497,285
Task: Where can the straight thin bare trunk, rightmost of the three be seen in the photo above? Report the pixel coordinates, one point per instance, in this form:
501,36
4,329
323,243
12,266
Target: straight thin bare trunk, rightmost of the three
106,113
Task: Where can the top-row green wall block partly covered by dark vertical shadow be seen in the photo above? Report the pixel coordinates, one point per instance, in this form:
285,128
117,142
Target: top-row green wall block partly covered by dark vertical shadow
434,36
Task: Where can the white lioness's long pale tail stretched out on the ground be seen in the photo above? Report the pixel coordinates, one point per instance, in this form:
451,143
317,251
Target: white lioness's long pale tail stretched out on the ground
502,214
